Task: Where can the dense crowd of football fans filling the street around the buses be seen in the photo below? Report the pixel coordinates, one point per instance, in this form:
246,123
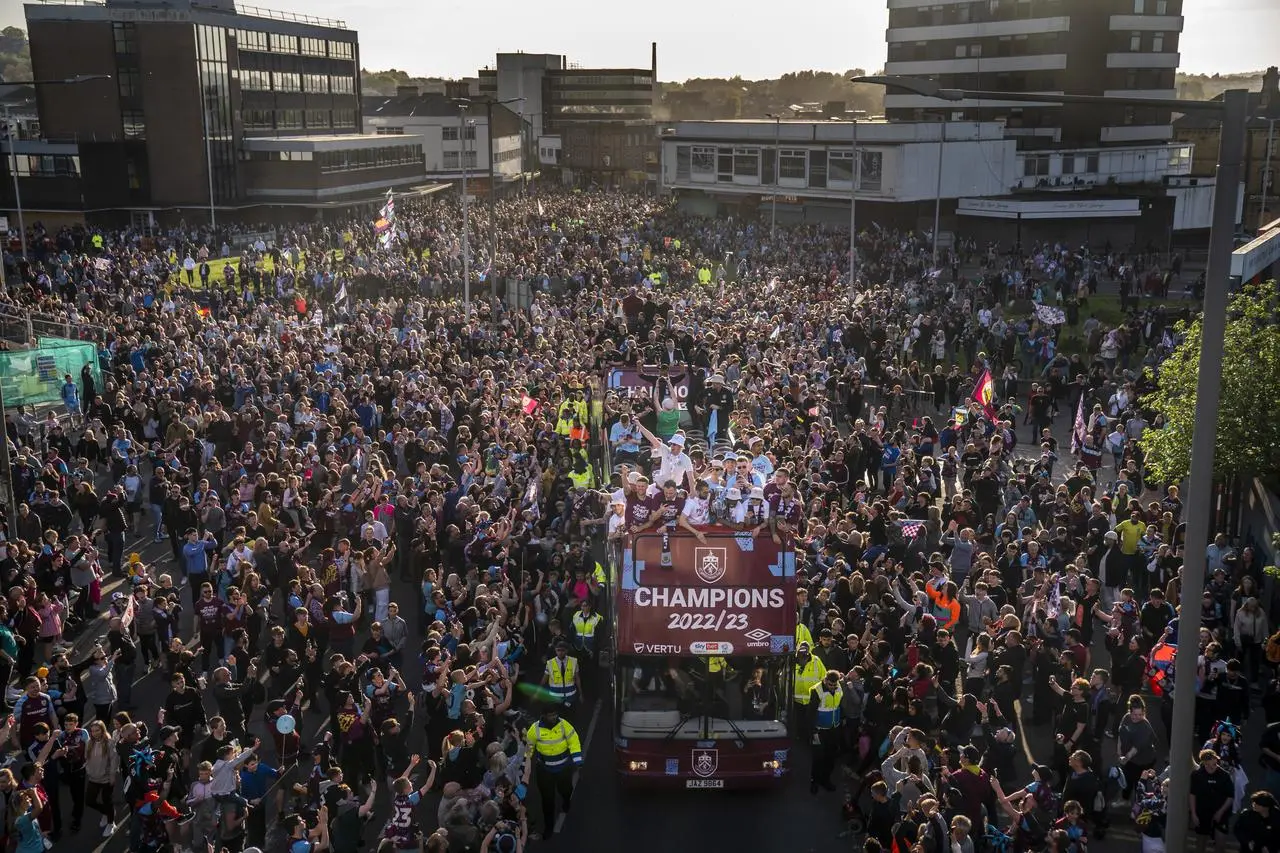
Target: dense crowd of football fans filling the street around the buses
387,519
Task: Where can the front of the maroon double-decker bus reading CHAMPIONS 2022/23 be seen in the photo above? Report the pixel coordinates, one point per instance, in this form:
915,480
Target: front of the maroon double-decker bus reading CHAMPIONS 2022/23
703,650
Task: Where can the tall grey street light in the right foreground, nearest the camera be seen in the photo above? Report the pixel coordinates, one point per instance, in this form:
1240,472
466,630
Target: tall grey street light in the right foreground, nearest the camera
1233,110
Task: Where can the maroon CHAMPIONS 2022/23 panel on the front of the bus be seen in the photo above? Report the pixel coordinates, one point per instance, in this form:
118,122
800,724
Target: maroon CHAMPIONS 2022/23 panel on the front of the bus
735,595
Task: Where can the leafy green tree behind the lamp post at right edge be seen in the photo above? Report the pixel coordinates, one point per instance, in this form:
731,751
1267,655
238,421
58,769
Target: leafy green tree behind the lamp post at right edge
1249,432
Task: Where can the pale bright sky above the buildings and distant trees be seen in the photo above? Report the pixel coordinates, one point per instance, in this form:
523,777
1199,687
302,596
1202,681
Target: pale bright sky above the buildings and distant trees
702,38
